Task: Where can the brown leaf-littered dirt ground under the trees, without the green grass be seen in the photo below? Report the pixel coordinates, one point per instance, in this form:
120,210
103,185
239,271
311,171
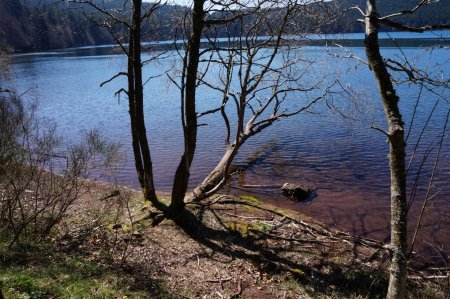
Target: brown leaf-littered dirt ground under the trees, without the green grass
232,248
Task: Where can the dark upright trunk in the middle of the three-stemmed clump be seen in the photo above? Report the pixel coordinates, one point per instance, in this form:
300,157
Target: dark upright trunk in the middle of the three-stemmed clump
182,174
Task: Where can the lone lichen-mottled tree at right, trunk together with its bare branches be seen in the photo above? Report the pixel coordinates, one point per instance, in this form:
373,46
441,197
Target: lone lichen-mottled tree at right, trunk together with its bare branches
396,134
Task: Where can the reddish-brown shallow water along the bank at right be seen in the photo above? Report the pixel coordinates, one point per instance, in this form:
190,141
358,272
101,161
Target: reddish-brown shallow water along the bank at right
362,213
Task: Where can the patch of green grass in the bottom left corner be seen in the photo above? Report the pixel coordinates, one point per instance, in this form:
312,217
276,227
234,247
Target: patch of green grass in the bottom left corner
71,278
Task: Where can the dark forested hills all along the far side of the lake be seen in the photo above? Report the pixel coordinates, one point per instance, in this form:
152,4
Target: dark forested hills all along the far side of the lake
27,25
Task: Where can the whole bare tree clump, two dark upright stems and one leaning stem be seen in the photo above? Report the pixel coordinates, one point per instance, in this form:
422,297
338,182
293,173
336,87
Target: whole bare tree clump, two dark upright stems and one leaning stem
267,71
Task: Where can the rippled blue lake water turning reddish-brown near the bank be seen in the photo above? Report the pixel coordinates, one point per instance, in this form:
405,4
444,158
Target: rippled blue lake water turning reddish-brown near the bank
343,157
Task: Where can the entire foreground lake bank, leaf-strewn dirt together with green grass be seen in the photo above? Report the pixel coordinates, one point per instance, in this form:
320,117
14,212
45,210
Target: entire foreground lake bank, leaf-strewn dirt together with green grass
239,248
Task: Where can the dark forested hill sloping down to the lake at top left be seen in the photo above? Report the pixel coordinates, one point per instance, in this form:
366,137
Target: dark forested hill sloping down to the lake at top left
27,27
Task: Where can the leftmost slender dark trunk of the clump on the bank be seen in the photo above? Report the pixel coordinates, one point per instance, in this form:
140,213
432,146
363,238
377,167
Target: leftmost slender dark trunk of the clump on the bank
141,148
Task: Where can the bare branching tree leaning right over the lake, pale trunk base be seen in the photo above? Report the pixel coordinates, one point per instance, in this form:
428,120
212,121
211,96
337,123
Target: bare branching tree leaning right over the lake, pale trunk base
262,79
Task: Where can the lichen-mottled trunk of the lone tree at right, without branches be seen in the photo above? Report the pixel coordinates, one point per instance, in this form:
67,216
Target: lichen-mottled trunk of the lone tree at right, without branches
398,270
